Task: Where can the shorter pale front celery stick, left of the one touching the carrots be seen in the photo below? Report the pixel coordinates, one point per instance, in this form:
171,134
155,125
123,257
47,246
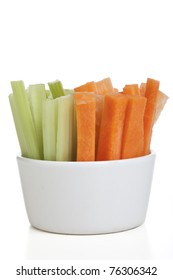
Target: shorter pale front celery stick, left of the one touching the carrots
49,121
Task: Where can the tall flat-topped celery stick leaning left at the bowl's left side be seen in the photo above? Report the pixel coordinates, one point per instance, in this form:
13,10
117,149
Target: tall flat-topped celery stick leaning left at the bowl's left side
25,116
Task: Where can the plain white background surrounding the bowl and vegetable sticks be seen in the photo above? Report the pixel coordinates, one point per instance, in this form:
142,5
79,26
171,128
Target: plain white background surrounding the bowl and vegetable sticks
78,41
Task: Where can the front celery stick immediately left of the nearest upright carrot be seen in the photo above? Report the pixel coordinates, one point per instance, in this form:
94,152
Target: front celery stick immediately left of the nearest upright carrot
64,149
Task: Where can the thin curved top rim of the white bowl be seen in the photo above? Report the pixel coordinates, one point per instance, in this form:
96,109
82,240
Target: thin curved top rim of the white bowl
119,161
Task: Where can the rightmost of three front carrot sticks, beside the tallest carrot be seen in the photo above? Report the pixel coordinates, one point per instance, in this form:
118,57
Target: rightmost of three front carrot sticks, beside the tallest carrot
133,134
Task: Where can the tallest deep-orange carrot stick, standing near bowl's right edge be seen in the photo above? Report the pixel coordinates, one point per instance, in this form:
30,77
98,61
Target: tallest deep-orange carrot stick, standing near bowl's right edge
152,87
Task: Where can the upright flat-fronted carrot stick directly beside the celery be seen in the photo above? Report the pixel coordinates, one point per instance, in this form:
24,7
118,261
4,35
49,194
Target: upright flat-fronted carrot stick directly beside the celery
86,123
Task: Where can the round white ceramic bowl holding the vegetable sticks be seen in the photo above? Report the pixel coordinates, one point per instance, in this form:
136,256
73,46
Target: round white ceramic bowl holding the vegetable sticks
86,197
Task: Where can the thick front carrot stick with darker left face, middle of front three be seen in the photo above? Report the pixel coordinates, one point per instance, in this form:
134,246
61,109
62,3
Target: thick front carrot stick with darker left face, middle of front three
110,137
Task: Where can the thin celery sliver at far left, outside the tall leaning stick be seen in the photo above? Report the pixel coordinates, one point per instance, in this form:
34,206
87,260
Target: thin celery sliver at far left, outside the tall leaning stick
18,126
